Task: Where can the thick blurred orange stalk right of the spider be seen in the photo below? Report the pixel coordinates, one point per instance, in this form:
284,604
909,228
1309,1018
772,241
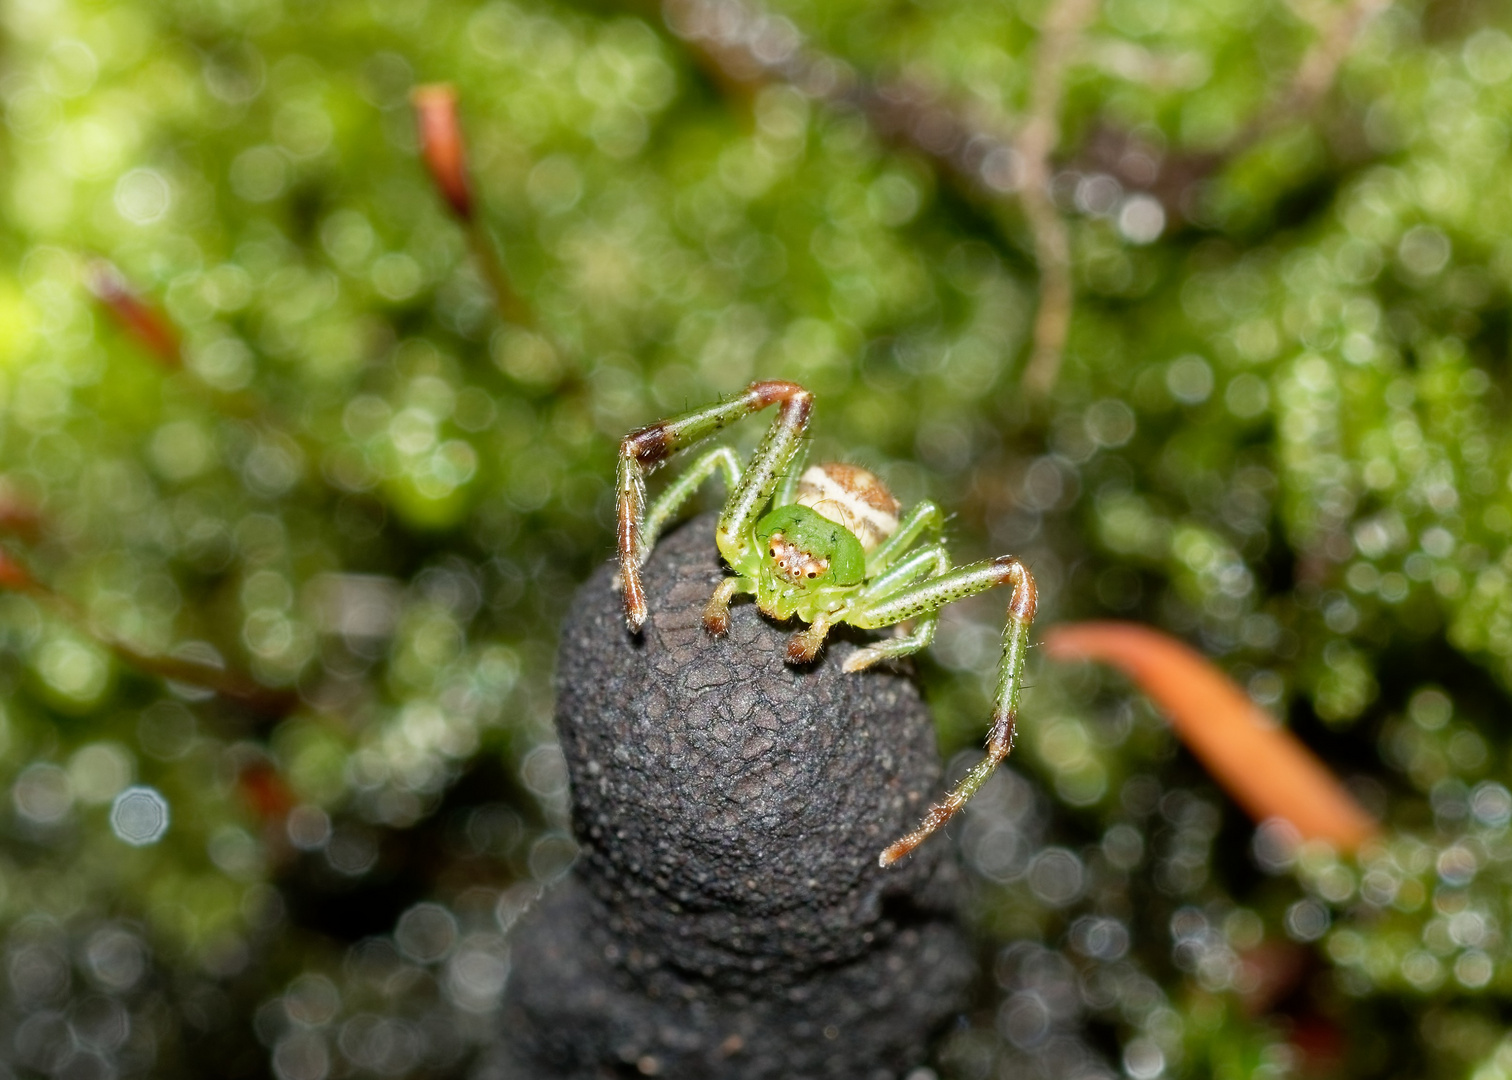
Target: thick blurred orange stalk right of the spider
1260,765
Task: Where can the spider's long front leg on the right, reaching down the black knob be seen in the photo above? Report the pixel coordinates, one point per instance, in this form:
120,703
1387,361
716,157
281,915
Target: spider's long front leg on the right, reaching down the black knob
928,598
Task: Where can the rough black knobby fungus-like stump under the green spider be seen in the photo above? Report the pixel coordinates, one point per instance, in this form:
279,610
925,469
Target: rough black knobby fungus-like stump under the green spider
727,917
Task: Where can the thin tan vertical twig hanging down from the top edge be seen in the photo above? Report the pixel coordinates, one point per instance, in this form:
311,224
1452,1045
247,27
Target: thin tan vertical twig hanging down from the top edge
1036,143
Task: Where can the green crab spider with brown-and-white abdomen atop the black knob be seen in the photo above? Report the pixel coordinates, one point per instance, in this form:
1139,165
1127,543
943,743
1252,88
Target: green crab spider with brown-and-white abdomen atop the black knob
832,550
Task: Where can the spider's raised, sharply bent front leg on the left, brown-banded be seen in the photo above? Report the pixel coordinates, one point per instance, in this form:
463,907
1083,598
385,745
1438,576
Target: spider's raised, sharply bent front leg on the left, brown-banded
646,448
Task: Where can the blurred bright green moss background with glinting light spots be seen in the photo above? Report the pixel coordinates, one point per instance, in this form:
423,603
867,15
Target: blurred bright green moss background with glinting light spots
356,501
